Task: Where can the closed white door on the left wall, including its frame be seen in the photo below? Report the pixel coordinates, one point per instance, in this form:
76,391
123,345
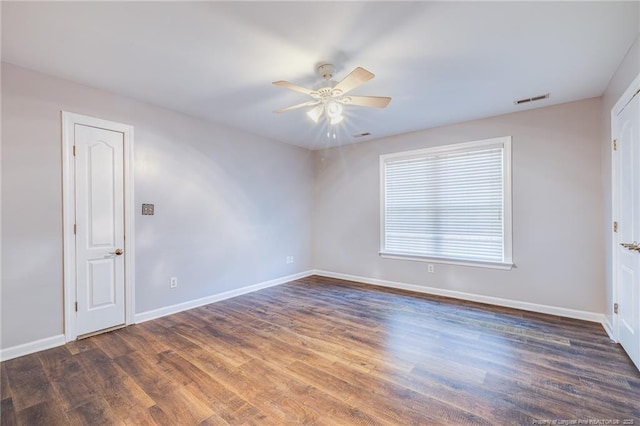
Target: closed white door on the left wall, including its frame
98,224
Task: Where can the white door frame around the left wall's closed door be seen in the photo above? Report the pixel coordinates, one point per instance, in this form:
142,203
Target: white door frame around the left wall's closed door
69,120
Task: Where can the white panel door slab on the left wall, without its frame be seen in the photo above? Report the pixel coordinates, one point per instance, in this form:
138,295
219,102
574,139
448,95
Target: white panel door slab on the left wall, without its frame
99,228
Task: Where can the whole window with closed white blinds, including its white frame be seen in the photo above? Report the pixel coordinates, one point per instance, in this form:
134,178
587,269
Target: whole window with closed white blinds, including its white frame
450,204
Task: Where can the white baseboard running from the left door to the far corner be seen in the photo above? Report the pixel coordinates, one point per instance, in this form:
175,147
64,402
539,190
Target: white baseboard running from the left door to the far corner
173,309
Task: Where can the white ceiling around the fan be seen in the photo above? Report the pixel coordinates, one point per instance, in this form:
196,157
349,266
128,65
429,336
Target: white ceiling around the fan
441,62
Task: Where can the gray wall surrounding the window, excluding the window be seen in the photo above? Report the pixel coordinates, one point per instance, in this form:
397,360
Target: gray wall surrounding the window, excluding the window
557,209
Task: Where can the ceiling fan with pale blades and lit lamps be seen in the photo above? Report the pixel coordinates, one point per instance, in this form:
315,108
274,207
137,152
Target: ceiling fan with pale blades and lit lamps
329,96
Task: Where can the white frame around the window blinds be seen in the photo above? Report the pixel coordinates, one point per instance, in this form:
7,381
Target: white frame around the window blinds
507,224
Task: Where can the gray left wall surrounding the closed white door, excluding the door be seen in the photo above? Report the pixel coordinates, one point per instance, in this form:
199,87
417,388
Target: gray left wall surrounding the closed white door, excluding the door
230,206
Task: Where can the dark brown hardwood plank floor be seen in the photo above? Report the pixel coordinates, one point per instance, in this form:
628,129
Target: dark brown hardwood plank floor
325,351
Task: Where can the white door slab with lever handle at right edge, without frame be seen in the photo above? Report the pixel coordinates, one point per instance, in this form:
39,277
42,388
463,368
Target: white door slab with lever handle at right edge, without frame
628,256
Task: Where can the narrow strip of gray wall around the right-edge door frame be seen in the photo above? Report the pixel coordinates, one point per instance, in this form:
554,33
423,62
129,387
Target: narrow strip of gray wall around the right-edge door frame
627,71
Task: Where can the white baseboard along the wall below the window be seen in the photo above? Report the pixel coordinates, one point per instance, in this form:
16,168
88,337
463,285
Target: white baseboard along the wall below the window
526,306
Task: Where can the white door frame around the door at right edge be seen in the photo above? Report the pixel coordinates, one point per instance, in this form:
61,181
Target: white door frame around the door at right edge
615,128
